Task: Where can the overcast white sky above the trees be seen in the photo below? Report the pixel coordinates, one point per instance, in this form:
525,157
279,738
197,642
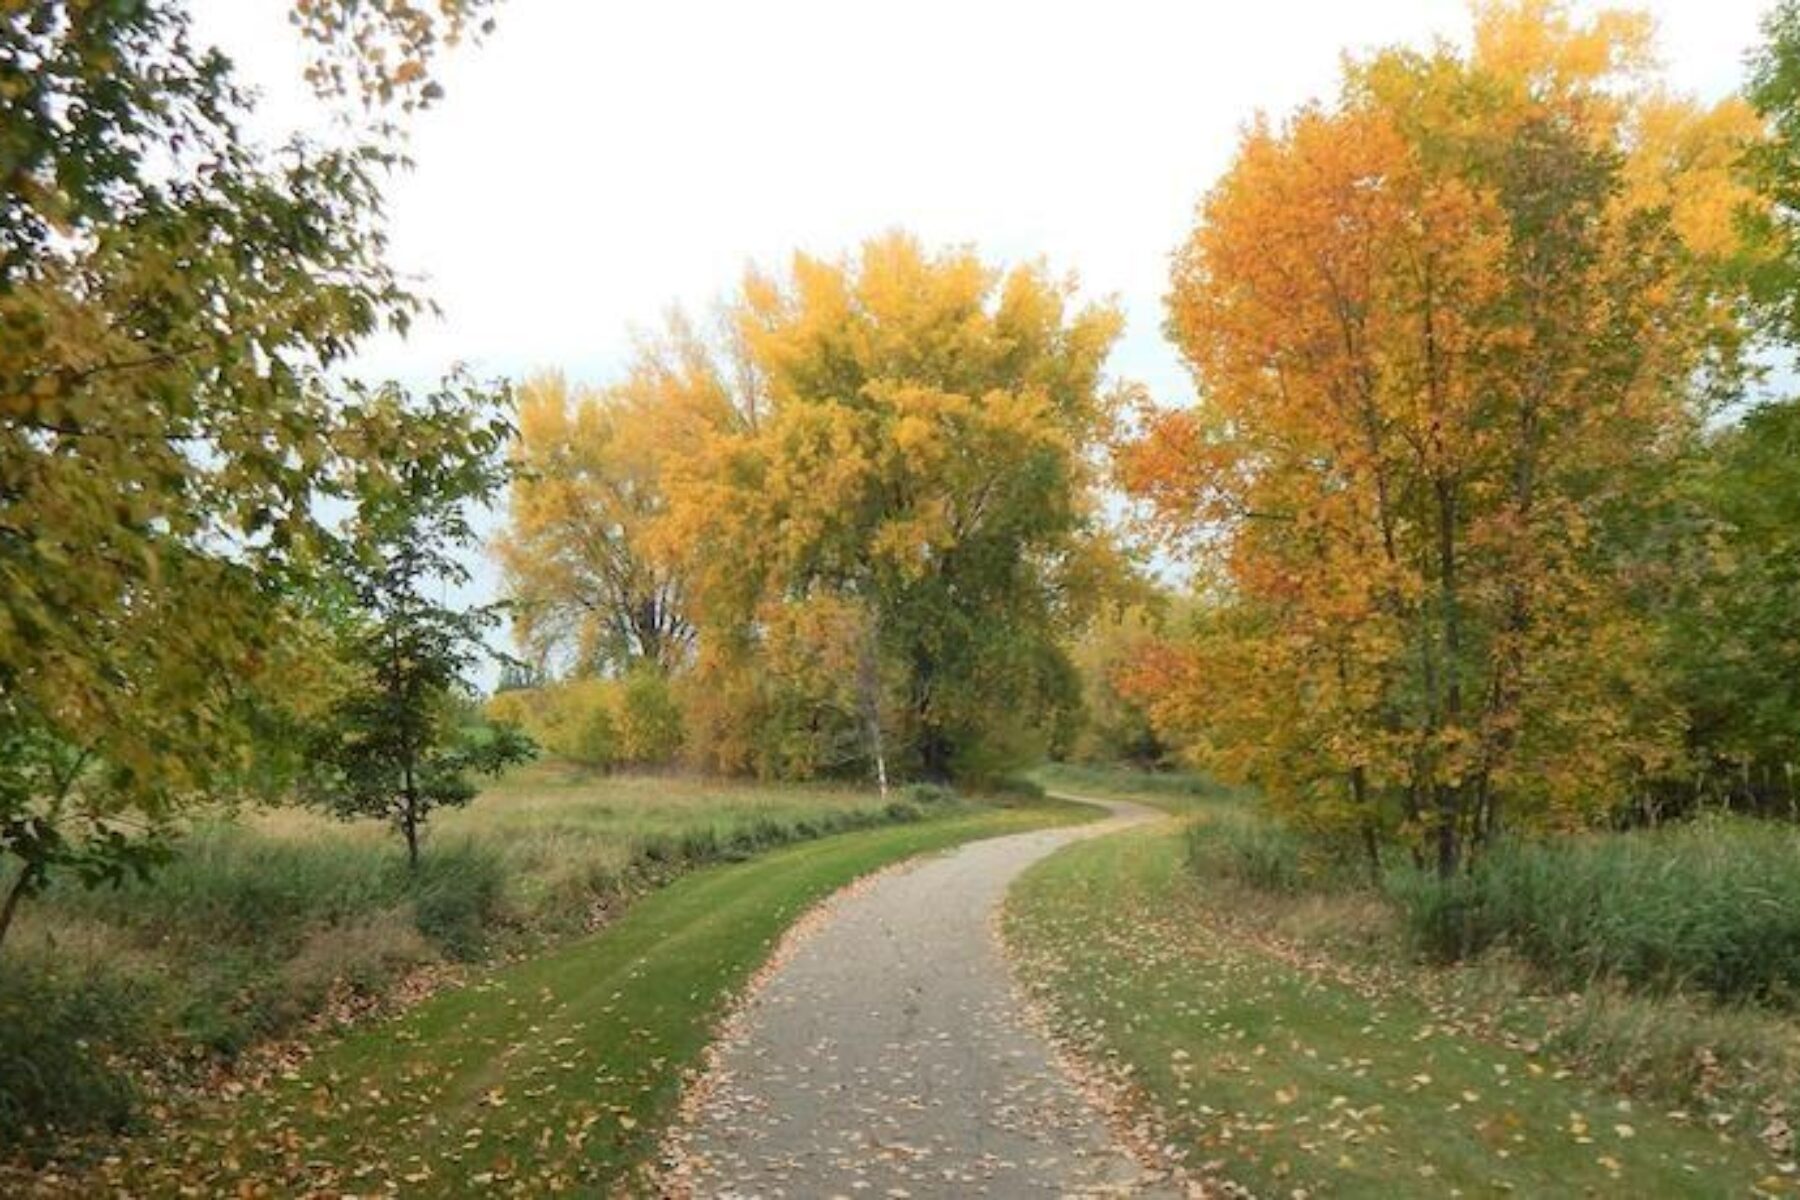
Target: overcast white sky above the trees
597,163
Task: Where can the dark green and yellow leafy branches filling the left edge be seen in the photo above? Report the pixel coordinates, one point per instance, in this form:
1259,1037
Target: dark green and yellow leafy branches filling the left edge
177,307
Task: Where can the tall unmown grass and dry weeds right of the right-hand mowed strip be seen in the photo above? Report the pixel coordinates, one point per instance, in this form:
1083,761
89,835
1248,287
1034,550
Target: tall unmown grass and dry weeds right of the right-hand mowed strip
1666,963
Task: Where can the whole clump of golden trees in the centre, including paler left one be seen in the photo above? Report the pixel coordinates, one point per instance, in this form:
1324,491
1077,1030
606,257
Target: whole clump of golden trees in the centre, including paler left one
872,514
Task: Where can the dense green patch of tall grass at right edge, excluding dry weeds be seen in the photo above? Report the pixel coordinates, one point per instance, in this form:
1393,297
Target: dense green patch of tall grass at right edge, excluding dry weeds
1711,908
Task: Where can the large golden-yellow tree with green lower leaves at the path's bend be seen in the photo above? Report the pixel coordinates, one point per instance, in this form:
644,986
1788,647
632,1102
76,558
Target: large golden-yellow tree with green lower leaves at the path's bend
919,447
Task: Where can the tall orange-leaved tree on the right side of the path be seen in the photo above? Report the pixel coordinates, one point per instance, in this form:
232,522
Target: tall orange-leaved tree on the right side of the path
1446,332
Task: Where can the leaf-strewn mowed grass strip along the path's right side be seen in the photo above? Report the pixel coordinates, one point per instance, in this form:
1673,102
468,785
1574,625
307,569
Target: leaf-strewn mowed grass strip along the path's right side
1288,1082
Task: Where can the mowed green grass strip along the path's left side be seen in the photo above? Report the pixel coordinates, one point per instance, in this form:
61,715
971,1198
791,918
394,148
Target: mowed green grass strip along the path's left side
553,1075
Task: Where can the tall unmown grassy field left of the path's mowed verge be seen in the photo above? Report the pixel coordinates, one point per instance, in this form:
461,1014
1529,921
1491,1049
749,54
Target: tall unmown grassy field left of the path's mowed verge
274,920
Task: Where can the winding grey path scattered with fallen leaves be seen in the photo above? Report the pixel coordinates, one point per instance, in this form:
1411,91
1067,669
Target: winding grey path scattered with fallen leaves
888,1057
